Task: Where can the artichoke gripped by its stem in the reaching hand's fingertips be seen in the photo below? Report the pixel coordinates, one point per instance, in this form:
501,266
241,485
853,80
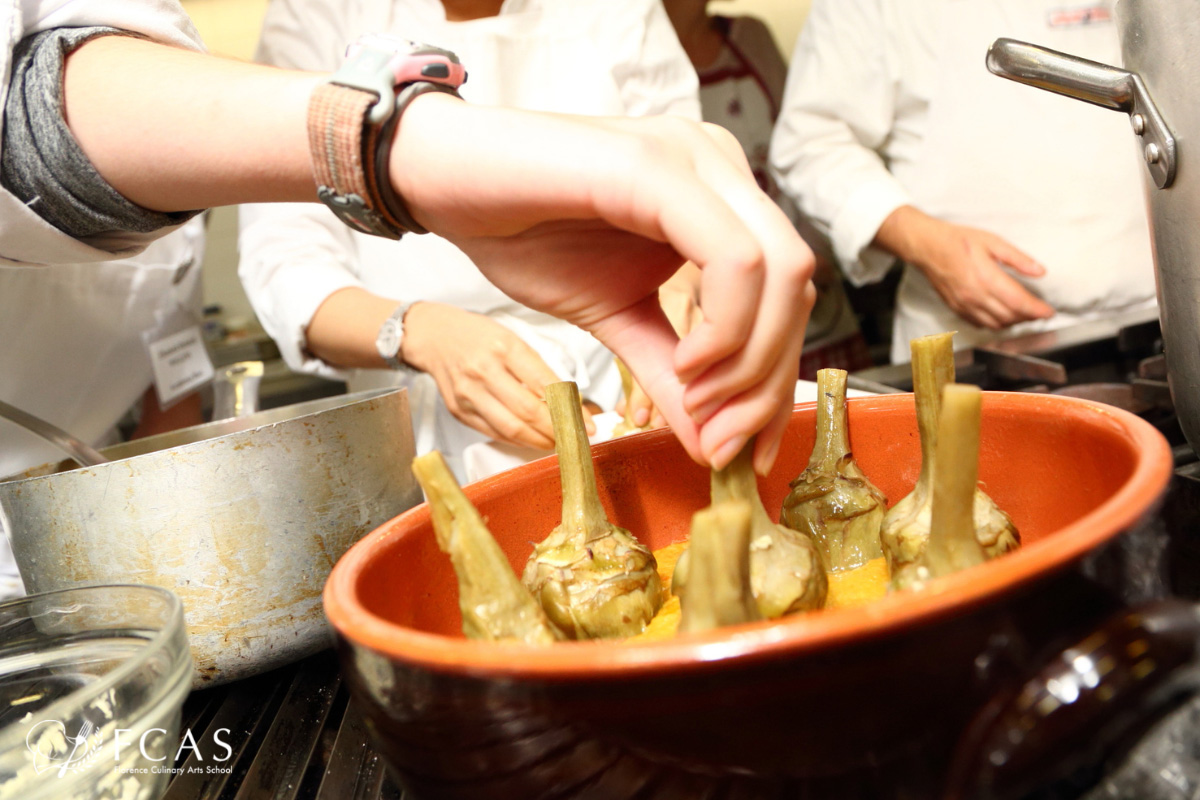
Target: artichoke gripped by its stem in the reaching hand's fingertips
785,568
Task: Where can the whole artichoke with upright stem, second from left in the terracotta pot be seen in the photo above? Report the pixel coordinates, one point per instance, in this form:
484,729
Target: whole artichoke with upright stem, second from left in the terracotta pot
592,579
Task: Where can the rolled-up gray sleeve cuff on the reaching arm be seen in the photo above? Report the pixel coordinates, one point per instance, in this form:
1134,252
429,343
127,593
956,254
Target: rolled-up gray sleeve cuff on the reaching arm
41,163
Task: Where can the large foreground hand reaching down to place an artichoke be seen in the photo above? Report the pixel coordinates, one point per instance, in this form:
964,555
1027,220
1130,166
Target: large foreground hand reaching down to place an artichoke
586,218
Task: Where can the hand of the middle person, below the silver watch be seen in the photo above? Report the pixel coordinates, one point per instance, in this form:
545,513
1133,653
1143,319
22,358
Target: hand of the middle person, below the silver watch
488,376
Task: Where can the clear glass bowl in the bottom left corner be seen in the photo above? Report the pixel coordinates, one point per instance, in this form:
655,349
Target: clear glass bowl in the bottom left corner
92,685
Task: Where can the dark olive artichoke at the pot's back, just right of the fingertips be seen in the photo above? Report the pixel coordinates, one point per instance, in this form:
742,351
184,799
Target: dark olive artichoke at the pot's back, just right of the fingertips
832,501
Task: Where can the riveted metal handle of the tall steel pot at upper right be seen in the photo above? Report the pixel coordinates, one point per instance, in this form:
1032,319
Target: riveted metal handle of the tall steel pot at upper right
1094,83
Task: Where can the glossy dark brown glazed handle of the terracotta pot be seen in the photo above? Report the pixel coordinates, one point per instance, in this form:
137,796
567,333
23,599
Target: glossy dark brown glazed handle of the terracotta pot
1095,693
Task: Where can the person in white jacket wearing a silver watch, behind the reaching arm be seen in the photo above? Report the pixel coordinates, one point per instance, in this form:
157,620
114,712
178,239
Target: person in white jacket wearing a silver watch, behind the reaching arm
475,362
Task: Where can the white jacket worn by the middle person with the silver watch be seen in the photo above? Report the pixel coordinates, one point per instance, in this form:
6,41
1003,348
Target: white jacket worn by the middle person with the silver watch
579,57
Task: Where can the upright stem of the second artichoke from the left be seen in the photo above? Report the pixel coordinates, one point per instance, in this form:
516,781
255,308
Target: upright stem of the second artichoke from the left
581,501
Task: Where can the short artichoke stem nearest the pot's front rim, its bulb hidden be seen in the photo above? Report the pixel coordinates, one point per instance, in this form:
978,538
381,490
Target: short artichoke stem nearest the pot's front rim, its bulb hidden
721,569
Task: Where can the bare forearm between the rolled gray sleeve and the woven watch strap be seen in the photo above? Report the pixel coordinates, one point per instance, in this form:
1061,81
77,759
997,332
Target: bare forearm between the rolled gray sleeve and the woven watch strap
175,130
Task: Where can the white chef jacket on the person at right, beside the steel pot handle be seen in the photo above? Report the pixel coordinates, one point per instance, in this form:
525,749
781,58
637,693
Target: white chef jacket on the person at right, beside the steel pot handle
890,103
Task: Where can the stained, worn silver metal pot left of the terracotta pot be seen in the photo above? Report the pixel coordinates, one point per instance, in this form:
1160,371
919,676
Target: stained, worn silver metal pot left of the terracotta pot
243,519
